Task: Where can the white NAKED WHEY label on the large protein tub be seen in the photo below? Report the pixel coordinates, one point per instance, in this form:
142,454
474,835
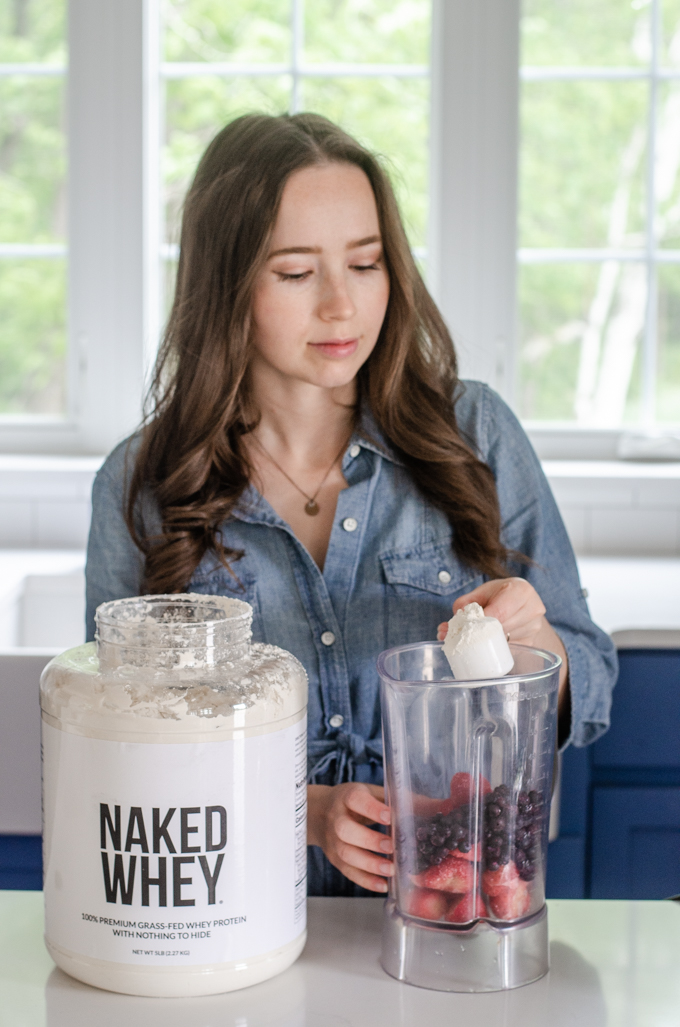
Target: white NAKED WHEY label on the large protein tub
175,855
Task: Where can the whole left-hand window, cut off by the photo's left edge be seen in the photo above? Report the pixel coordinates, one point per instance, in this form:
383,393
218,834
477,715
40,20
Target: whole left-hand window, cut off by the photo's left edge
33,345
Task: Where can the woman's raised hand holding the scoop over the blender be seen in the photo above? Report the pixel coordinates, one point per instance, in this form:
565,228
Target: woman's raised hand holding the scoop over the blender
520,610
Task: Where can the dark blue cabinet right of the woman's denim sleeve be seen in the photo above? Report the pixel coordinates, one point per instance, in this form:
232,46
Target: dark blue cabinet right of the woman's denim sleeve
620,831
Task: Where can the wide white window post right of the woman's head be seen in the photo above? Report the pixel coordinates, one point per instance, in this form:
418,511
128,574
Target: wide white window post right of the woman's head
473,245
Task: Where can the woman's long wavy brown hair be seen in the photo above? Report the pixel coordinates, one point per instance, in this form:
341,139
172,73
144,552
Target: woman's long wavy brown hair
191,455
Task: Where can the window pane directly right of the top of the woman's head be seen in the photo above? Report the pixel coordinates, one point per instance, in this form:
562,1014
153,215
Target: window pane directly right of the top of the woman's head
391,117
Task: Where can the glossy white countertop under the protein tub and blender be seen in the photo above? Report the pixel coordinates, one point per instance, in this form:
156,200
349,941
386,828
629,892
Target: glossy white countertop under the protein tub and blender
614,964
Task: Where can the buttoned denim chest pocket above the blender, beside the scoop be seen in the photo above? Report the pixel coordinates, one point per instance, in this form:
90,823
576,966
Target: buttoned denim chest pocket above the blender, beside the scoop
422,584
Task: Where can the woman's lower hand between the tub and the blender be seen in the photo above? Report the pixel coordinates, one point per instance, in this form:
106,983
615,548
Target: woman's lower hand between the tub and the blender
337,821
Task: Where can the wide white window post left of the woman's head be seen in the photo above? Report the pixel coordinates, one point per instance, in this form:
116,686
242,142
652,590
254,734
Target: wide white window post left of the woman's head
110,270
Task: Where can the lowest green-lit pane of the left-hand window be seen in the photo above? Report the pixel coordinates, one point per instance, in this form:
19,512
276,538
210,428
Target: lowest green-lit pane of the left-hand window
32,337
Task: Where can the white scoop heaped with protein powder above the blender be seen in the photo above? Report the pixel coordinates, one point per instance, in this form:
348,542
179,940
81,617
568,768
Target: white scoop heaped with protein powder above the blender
476,646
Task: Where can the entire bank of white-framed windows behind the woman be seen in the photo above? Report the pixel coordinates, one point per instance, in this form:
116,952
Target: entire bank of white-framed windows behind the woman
149,84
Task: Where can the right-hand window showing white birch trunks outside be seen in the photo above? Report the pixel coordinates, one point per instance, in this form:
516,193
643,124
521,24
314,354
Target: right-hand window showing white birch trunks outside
599,214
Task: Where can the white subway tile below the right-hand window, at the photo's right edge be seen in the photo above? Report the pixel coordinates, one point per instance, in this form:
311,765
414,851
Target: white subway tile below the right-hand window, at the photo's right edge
635,532
